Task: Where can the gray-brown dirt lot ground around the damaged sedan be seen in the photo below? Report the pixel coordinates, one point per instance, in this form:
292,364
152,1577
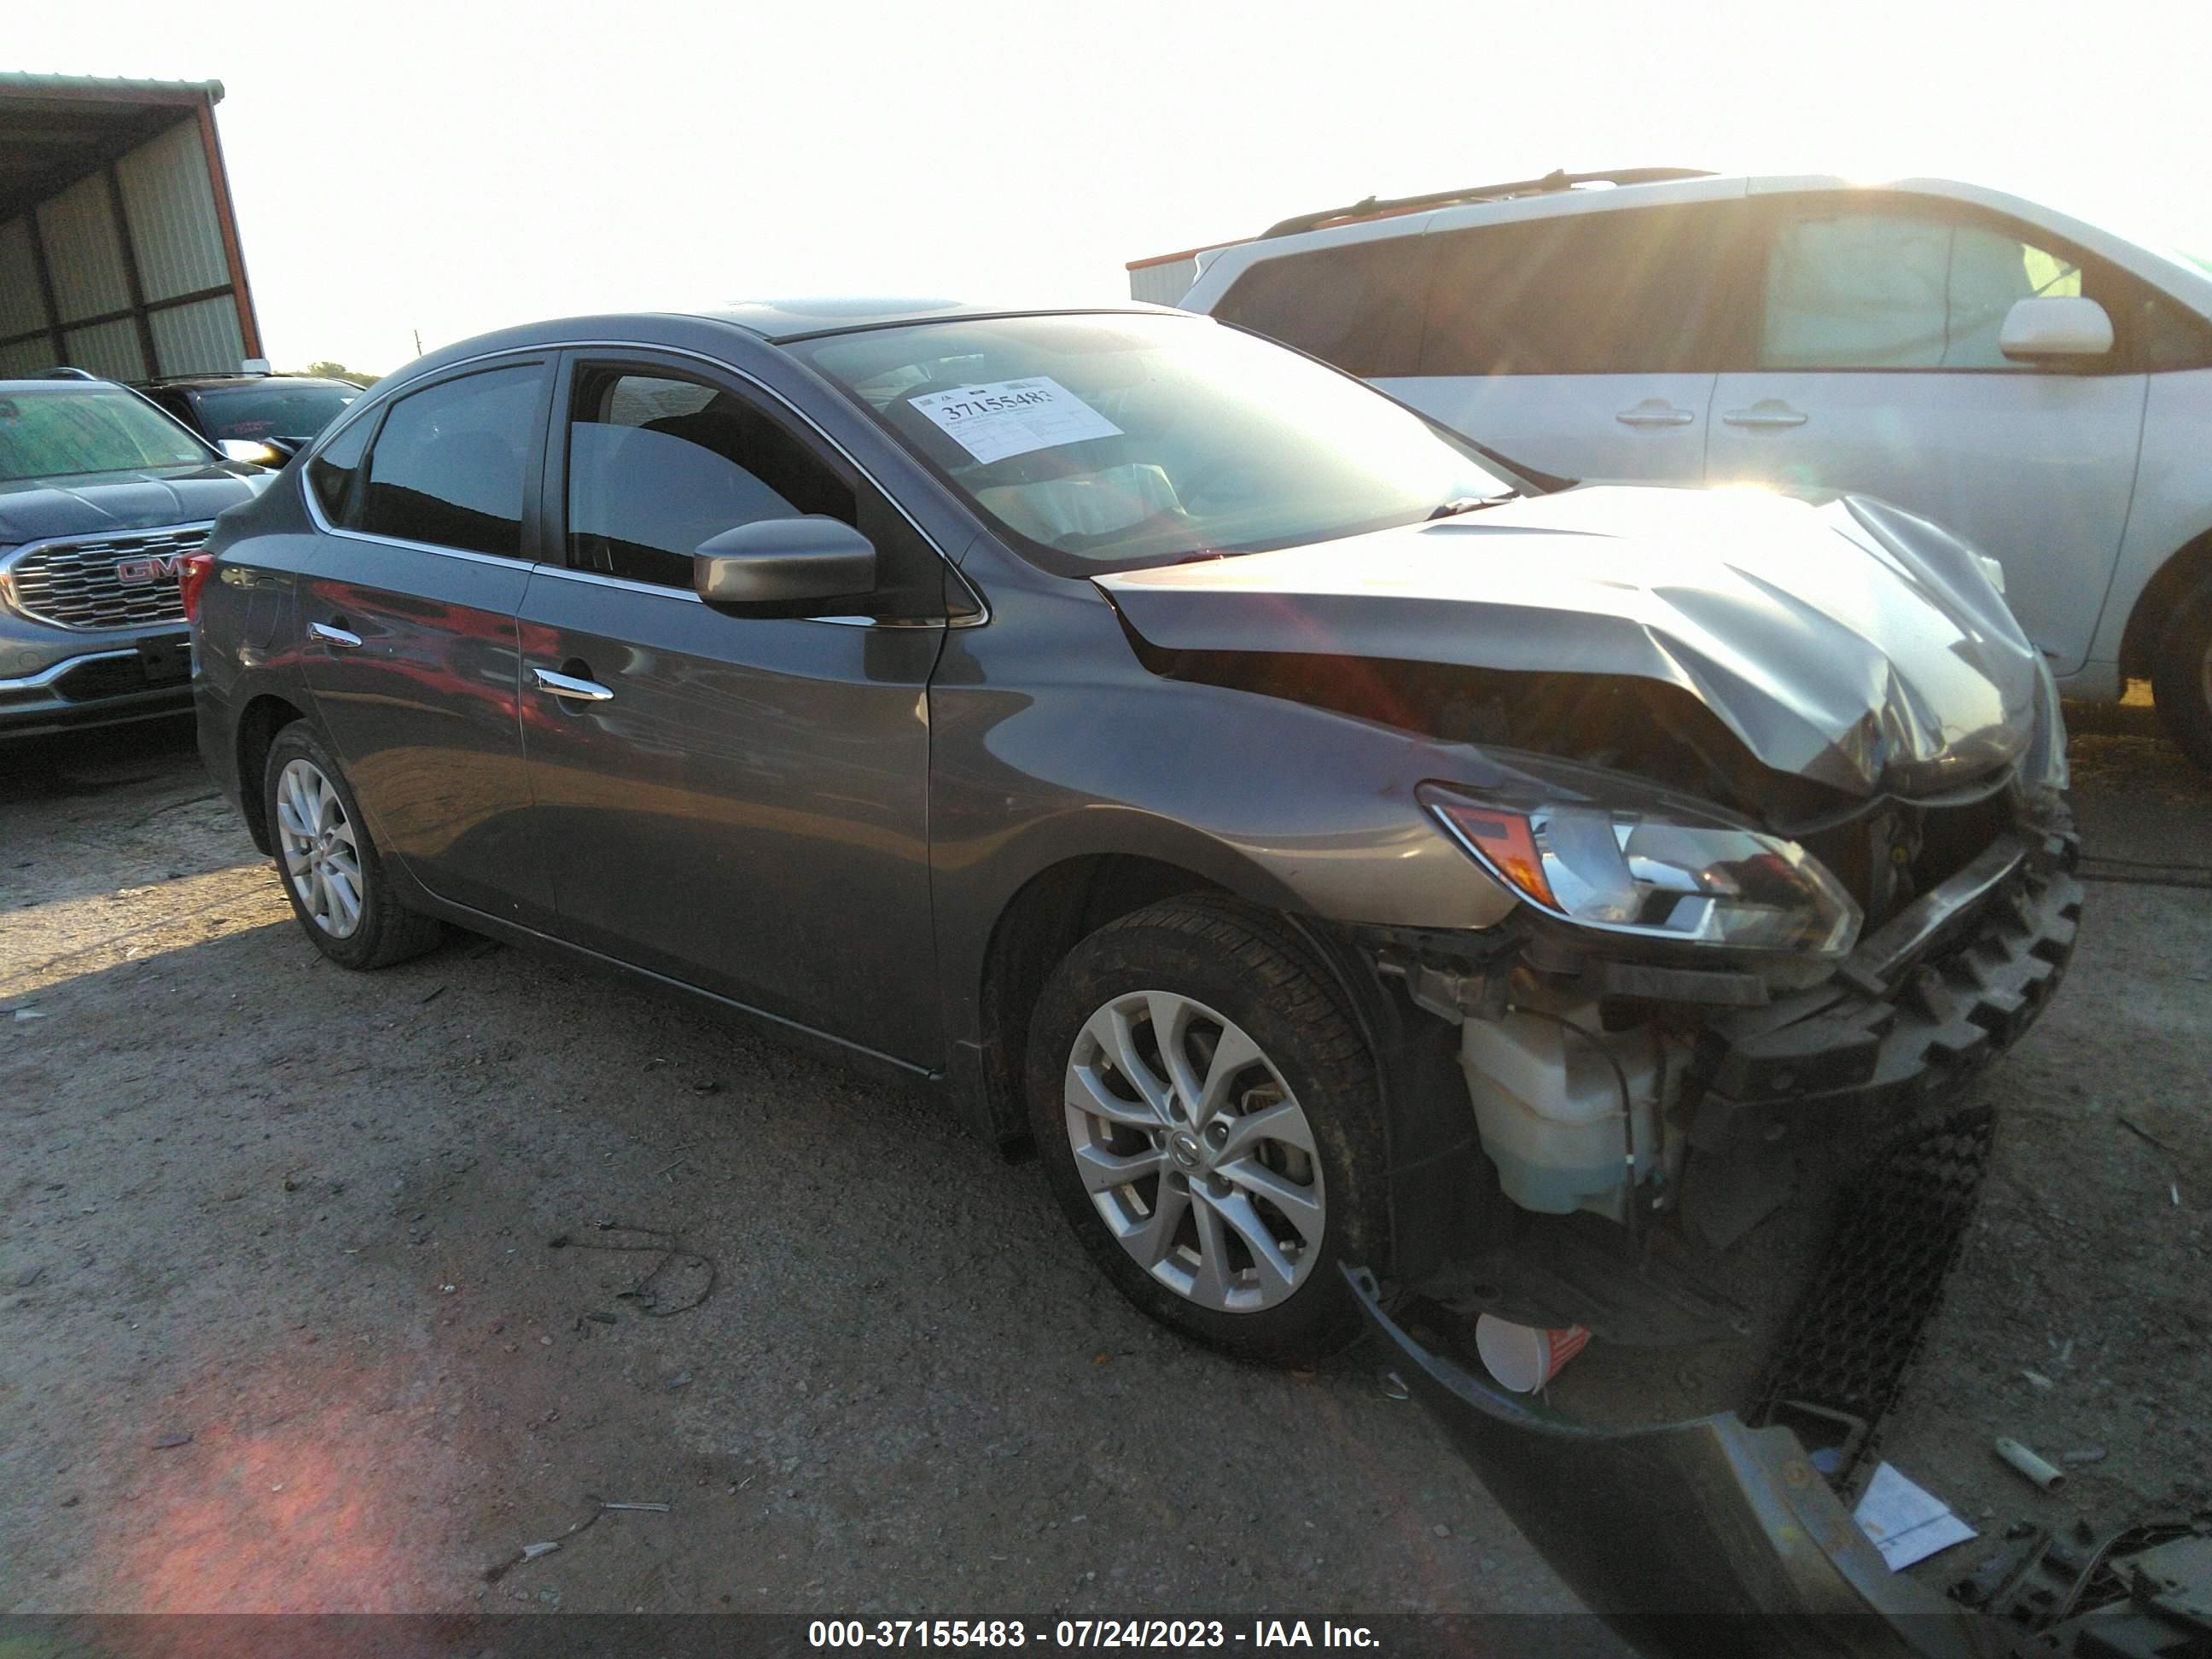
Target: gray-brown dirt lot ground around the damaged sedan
304,1218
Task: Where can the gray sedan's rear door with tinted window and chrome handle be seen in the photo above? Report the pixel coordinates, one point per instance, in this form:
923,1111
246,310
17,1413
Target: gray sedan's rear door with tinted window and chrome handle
410,616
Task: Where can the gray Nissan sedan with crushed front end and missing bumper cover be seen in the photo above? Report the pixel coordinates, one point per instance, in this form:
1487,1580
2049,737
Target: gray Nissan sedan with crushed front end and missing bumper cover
1322,842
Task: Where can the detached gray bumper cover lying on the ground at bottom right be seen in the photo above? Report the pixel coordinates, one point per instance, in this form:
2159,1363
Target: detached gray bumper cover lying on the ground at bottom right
1713,1538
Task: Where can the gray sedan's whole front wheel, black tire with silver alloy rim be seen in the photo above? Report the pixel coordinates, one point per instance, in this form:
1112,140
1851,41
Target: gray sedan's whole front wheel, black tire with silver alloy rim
1211,1123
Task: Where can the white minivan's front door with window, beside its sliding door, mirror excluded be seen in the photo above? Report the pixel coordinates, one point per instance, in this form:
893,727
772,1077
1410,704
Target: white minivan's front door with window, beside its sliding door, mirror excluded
1870,364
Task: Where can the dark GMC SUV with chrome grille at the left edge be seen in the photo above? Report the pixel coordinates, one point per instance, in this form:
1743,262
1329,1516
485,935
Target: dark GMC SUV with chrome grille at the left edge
101,497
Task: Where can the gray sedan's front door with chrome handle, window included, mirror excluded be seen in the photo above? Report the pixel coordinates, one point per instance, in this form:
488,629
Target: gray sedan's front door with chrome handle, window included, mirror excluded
738,804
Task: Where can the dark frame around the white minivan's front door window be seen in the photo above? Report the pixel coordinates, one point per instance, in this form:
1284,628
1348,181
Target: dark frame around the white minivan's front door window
1782,209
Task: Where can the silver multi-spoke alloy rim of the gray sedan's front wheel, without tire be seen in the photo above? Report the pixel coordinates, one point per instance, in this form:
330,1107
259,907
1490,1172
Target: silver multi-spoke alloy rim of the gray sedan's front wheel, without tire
1196,1151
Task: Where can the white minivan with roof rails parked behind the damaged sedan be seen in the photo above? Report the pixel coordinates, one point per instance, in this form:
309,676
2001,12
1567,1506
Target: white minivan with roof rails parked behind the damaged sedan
2023,377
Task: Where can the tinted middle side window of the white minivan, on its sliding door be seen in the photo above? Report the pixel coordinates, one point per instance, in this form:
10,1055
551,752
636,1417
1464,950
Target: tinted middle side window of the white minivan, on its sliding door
1594,293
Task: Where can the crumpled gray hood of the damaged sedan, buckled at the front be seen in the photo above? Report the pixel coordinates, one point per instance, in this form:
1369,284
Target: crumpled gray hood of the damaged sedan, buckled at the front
1841,638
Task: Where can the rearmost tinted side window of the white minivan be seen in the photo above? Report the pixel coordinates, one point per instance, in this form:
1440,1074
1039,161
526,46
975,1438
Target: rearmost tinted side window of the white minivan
1355,304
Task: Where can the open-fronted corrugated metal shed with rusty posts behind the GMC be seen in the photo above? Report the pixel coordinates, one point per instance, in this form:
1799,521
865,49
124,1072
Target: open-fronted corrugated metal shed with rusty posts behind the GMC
118,242
